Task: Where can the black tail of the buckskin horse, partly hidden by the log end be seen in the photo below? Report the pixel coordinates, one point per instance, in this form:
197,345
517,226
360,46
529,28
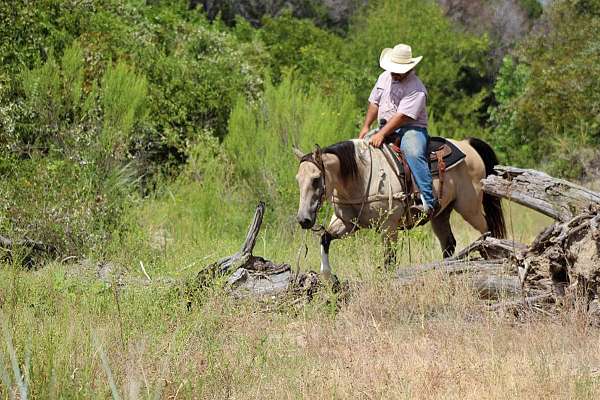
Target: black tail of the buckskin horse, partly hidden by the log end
492,206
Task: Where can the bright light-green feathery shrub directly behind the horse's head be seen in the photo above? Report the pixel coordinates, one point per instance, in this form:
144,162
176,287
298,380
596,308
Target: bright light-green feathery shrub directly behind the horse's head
261,137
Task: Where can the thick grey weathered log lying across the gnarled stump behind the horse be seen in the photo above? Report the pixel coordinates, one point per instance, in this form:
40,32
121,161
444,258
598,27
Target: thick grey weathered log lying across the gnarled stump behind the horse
556,198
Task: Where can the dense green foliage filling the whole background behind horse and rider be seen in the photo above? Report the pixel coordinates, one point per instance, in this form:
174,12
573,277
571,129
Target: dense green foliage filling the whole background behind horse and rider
103,103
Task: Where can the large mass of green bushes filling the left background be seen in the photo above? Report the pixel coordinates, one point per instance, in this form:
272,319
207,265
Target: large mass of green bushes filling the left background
96,97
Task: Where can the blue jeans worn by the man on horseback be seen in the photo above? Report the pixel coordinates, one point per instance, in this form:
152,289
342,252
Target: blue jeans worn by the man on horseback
414,146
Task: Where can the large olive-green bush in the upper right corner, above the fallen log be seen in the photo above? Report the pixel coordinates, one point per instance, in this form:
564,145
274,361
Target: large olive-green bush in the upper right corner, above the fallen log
549,95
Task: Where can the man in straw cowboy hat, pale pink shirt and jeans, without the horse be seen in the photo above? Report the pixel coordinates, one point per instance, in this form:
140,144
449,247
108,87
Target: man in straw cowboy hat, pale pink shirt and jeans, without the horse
399,102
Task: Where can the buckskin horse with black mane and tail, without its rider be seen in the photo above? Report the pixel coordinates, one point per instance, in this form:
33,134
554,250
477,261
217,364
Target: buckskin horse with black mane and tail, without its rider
366,191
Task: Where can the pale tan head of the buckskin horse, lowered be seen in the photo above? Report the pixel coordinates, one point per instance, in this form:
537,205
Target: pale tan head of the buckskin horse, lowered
311,182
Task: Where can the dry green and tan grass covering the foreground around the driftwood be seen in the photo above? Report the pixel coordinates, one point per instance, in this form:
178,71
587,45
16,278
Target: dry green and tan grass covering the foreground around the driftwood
433,339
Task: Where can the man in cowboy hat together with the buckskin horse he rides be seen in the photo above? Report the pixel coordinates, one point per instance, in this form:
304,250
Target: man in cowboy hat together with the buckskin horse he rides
365,186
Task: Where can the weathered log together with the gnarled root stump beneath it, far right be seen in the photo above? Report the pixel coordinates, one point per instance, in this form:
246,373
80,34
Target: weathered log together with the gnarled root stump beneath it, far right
564,259
